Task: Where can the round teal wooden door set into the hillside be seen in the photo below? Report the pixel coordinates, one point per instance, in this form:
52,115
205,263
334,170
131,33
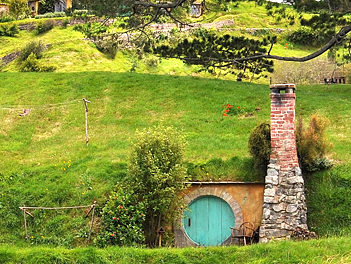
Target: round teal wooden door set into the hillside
208,220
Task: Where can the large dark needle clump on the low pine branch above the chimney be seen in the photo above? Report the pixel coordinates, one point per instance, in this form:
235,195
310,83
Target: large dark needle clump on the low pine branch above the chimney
218,52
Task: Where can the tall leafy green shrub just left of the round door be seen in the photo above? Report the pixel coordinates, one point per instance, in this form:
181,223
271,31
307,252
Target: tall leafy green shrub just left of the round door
157,176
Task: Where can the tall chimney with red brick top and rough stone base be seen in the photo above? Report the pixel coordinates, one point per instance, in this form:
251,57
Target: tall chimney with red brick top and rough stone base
284,208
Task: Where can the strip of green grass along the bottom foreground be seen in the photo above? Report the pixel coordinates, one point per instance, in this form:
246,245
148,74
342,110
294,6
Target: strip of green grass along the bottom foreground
326,250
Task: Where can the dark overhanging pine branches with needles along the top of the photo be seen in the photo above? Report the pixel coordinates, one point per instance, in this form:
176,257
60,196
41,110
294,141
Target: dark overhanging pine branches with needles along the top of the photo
328,27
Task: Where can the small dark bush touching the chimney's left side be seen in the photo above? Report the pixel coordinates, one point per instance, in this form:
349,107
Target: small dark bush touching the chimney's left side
260,146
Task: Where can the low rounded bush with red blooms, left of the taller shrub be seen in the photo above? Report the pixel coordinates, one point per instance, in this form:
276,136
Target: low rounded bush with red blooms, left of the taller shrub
122,219
